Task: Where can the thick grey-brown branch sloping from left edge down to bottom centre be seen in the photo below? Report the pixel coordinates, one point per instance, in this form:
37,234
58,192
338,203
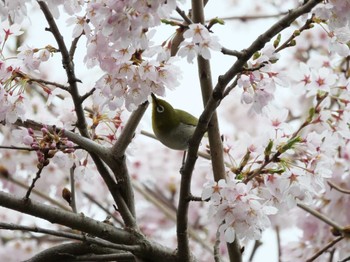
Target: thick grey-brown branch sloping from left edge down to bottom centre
88,225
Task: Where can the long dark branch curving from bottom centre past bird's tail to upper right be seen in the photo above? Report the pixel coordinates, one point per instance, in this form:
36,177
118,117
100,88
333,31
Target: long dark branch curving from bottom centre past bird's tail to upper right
210,107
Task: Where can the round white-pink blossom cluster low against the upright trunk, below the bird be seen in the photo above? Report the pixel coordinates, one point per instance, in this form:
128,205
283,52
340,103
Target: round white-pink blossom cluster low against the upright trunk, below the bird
237,209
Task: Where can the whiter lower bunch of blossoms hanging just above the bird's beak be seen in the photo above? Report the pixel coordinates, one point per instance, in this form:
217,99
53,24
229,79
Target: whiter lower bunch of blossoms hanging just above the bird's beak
132,84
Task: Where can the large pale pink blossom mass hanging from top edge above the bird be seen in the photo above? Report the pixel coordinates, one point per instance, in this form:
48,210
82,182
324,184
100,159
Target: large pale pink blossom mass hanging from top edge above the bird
118,40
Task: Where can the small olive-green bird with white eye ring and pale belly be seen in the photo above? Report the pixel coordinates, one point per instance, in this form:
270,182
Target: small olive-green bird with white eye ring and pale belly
173,127
